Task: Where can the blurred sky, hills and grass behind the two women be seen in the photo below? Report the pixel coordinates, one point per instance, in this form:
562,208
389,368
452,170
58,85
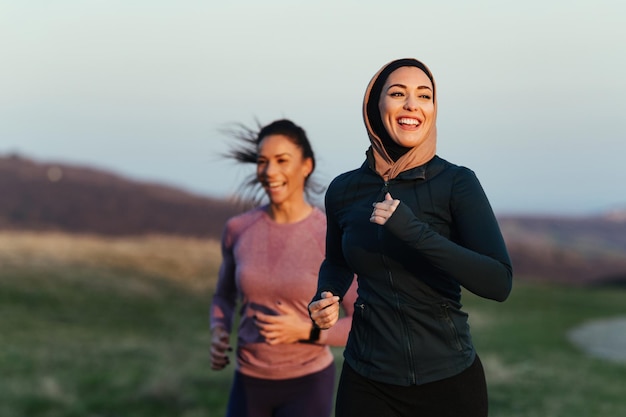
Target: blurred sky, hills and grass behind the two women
113,191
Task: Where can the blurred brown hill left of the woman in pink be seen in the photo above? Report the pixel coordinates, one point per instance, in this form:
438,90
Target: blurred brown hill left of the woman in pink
50,196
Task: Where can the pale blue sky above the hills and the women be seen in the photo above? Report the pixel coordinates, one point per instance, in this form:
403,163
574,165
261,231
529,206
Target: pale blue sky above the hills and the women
530,94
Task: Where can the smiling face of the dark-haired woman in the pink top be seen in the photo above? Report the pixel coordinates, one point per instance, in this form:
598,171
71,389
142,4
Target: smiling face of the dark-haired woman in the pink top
282,169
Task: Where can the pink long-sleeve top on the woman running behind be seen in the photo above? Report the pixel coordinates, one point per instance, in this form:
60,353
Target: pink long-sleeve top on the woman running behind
263,263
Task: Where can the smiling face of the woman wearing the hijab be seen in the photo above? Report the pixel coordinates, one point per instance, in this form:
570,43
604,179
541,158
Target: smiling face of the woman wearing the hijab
407,106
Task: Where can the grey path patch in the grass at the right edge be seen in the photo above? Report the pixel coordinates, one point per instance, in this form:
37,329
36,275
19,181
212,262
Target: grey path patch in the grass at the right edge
602,338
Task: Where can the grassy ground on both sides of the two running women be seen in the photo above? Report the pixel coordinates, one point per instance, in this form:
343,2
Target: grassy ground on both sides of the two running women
118,327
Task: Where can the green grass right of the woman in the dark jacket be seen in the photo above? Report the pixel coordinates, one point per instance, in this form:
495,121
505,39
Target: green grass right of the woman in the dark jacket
532,369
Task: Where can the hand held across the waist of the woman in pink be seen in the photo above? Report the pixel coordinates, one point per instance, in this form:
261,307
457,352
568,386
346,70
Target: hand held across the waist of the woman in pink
286,327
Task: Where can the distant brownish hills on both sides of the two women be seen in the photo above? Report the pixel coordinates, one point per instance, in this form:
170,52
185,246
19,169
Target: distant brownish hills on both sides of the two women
51,196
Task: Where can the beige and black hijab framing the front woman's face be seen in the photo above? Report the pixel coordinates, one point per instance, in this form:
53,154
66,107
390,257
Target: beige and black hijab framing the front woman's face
385,166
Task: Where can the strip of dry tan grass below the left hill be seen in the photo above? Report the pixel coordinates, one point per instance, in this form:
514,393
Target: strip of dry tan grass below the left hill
188,261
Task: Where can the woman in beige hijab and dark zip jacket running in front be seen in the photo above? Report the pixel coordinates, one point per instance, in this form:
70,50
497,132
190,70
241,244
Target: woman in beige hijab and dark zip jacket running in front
415,228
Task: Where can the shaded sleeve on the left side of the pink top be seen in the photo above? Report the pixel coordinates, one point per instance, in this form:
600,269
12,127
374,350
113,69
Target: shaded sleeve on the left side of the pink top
225,297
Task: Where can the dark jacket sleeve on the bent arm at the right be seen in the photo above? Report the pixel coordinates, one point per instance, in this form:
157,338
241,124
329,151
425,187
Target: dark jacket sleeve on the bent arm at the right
479,261
